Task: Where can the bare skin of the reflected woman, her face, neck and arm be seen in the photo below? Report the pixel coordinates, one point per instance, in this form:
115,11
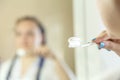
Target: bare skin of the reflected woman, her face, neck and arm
29,38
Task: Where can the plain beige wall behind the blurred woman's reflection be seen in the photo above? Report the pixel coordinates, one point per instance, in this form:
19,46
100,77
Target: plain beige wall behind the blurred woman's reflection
55,15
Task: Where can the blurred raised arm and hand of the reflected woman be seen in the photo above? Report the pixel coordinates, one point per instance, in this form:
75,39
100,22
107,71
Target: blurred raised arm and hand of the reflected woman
60,66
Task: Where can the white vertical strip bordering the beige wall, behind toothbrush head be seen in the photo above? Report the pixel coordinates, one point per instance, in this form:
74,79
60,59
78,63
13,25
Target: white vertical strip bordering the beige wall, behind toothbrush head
79,28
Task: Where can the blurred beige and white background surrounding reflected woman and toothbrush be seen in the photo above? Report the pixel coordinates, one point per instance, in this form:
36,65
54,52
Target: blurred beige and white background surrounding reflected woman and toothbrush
62,19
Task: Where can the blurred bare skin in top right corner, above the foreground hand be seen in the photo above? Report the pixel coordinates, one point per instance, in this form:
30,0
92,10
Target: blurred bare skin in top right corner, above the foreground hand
110,13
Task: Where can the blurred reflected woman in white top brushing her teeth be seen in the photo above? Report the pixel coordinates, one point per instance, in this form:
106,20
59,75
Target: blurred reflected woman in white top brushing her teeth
33,59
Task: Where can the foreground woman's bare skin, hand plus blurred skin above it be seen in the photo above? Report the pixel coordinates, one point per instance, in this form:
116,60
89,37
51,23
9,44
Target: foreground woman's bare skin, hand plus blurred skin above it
110,12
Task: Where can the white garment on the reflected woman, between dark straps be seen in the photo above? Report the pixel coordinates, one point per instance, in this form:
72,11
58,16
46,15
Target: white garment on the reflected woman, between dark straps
48,71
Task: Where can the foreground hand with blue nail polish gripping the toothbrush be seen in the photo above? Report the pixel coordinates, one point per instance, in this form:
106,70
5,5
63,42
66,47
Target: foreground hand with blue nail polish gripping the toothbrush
104,41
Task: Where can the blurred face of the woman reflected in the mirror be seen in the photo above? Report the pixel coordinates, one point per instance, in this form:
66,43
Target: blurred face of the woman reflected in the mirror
27,35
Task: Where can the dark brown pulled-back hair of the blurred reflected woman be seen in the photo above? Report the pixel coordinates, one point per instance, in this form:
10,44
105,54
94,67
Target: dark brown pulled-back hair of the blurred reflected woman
37,22
